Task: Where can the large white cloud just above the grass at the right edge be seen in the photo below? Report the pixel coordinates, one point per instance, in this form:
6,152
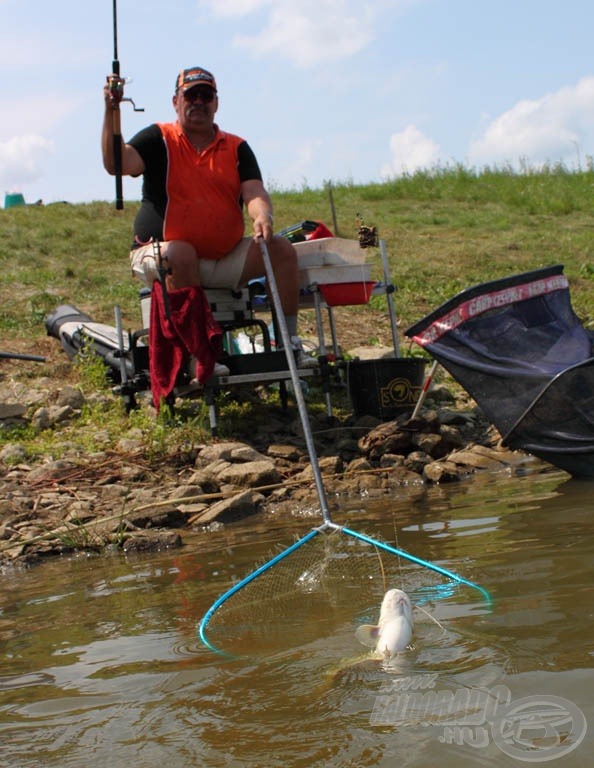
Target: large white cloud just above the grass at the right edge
551,129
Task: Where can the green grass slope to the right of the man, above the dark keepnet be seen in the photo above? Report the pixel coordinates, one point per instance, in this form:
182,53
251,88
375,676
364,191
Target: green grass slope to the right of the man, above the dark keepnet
450,229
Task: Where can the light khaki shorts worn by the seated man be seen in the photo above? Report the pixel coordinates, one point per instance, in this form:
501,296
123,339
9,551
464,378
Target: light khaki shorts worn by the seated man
214,273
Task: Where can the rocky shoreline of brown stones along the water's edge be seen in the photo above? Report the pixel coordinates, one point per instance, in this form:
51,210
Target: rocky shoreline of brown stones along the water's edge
119,498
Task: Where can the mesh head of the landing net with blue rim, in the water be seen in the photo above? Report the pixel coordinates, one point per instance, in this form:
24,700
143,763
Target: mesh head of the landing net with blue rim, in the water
328,581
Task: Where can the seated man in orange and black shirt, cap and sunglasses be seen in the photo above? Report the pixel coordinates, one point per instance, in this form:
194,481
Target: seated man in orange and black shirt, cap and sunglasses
196,180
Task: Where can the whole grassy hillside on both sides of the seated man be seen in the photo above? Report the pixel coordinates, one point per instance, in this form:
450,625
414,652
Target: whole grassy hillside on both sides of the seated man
445,231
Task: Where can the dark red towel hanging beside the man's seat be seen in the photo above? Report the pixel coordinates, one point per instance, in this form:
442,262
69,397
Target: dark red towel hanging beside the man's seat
190,331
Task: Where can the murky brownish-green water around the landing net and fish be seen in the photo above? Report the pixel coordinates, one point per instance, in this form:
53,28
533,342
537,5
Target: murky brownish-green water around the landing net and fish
100,664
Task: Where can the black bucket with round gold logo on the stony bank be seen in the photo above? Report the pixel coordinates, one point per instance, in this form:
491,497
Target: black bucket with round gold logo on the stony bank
387,387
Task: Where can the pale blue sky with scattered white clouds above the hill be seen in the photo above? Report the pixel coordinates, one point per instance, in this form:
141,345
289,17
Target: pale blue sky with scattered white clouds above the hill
341,90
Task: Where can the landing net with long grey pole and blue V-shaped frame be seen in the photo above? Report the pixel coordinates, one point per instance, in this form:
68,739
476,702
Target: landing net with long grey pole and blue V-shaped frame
308,574
